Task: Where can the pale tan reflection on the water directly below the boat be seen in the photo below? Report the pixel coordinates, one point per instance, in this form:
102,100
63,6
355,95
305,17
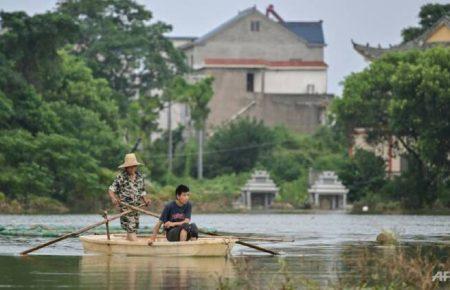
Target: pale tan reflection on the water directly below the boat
125,272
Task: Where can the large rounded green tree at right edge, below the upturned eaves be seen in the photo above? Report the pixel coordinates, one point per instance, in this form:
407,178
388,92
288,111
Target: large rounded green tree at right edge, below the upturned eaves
404,96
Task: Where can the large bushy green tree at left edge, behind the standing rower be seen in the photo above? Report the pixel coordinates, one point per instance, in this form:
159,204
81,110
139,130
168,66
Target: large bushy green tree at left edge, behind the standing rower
58,134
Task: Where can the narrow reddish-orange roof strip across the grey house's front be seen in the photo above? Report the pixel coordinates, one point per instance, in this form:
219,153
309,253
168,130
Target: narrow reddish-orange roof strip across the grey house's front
262,62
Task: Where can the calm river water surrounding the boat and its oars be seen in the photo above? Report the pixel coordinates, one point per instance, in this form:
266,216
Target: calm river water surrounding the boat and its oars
317,257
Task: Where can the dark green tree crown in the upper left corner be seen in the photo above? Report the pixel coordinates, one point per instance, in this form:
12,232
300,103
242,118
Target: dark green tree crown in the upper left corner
31,45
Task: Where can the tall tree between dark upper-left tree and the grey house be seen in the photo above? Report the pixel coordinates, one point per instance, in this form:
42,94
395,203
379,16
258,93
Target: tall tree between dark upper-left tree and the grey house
121,44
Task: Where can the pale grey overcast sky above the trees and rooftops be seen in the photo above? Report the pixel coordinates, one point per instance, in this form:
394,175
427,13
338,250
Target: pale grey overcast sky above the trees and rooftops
375,21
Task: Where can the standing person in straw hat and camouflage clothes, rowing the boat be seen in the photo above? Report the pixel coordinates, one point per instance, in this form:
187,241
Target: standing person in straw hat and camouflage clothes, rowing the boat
130,187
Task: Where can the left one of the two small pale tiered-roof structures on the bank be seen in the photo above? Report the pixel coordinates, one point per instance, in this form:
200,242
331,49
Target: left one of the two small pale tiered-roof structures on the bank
259,191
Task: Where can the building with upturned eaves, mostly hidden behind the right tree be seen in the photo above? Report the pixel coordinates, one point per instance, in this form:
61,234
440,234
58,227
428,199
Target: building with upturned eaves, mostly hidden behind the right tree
438,34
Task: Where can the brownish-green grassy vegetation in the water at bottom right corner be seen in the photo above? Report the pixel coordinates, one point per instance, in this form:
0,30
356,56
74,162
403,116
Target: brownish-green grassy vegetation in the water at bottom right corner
397,267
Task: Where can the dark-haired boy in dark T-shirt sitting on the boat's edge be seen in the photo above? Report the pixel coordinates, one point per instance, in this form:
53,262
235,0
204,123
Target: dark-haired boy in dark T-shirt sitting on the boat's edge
176,218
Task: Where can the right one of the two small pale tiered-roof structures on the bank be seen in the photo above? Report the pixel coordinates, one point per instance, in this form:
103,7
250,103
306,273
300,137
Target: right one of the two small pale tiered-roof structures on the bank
327,192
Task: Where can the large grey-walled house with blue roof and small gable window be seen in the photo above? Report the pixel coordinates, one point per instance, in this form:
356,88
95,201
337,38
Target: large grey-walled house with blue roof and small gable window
270,70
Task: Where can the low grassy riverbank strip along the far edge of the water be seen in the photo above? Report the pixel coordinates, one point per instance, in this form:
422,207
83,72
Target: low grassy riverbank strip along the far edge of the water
205,203
